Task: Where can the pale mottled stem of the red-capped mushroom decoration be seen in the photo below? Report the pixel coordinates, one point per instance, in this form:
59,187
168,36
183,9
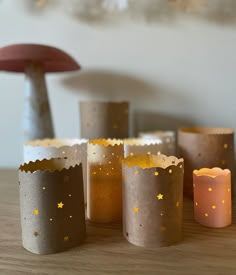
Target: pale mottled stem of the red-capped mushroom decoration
37,120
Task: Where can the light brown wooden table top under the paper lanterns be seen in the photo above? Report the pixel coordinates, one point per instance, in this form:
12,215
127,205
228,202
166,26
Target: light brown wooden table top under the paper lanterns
203,251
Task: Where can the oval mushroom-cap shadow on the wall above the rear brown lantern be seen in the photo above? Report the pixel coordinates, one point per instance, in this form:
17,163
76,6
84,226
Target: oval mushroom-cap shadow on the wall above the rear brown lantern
110,85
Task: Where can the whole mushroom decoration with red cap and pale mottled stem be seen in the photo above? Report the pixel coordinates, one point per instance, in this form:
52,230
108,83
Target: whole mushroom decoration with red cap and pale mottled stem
36,60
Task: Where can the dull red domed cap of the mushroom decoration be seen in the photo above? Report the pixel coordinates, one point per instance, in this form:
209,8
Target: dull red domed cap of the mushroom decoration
15,58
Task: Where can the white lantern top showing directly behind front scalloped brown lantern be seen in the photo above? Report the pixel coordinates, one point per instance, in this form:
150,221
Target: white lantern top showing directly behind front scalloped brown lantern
139,146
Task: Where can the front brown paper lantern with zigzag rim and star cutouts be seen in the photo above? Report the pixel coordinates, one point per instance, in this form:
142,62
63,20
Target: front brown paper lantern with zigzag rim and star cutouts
51,205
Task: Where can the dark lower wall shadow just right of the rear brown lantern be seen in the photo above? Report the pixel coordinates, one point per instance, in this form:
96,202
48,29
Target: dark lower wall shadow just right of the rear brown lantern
151,121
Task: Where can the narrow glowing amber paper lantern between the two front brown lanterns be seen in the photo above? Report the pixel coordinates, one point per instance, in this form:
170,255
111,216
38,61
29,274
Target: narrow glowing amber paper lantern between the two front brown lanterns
104,193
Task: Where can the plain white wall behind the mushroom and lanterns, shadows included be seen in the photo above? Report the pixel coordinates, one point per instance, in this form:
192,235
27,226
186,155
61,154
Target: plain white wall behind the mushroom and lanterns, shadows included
174,74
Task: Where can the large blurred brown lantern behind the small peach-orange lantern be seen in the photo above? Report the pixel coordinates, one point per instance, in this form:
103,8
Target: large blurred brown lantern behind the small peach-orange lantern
205,147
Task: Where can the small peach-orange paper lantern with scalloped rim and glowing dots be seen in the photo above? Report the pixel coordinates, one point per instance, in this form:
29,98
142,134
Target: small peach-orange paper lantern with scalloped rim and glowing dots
212,197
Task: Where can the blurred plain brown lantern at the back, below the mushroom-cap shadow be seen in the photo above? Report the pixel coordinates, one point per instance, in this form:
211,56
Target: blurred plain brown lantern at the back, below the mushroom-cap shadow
104,119
